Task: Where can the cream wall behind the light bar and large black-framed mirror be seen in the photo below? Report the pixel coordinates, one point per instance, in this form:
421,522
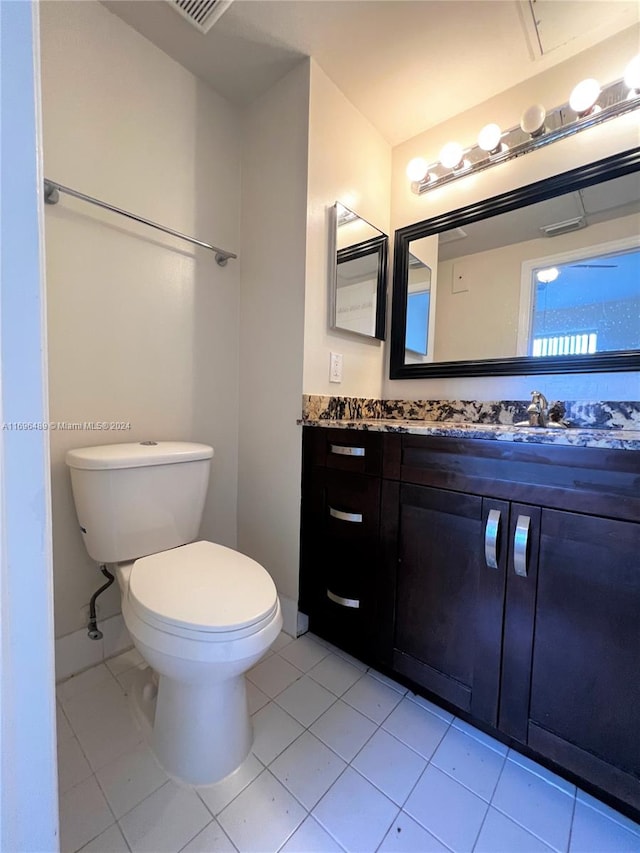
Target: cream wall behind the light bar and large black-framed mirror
606,61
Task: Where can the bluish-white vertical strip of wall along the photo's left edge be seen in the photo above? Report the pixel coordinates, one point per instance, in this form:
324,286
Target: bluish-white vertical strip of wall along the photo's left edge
28,784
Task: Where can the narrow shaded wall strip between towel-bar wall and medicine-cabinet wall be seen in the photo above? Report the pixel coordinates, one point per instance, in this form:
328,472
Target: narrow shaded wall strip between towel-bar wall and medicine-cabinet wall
274,199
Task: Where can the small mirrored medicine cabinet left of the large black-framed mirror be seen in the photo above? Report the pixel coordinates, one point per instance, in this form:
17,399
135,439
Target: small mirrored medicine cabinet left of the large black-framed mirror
358,274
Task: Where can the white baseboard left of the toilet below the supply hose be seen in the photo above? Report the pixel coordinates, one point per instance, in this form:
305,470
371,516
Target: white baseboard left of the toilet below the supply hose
76,652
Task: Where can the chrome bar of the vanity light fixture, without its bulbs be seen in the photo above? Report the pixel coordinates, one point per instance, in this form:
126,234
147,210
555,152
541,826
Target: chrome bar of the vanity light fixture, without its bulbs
560,122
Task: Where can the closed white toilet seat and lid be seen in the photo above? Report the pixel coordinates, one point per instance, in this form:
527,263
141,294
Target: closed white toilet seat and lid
202,591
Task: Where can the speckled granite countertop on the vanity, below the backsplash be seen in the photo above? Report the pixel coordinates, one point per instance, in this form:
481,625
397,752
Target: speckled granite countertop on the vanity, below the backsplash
612,439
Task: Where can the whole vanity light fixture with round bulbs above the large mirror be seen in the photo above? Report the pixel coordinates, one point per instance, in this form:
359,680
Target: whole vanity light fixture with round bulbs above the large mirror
589,105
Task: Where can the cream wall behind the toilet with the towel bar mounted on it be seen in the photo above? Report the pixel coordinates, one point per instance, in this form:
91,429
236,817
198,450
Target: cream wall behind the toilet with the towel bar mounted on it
143,328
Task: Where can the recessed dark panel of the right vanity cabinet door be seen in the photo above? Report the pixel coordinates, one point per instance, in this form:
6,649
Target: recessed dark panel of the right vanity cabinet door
583,679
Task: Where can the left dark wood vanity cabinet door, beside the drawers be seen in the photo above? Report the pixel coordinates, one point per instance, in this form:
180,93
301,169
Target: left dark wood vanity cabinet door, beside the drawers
448,601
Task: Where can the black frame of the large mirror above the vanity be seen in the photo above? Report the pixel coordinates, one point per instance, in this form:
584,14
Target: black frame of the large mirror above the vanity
575,179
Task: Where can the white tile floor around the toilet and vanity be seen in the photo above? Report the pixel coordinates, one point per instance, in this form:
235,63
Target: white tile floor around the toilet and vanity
343,759
